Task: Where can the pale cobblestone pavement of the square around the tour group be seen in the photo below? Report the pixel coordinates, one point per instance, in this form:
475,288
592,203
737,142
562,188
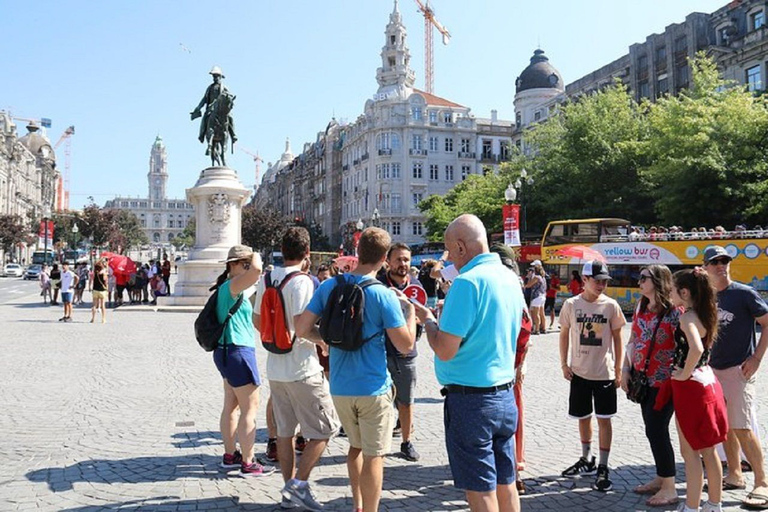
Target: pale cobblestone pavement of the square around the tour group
125,416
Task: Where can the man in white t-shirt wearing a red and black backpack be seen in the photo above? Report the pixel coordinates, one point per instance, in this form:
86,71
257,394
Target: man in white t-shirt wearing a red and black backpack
299,391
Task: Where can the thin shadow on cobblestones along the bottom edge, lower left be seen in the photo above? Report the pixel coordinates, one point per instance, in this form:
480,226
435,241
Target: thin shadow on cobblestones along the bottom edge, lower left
173,503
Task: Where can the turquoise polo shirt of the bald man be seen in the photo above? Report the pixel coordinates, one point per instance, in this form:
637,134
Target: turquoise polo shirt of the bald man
484,307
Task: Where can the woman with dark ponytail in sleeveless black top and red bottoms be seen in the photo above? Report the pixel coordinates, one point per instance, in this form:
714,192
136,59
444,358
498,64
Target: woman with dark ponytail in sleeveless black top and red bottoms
696,393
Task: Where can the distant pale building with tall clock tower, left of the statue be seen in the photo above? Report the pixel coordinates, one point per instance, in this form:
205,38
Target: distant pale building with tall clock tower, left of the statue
161,218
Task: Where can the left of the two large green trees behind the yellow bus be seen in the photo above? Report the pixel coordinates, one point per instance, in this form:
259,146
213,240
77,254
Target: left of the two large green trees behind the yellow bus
588,160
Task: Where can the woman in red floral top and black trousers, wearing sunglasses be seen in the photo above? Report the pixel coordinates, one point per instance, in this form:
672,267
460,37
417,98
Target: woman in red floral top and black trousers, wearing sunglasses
650,350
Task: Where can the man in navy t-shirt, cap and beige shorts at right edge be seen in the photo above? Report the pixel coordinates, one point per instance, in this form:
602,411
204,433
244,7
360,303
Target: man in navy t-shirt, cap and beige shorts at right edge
735,359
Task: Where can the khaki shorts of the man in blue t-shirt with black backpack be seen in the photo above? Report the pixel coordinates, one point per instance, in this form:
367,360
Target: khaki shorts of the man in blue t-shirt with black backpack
368,422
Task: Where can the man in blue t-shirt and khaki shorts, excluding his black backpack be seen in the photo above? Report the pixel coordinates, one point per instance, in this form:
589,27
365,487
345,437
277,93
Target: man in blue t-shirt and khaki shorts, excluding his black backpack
361,386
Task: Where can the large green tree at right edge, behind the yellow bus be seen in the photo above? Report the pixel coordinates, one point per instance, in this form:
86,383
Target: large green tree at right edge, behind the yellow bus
709,148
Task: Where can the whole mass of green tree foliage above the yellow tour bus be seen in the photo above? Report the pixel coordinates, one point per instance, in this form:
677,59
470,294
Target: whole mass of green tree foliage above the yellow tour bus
696,159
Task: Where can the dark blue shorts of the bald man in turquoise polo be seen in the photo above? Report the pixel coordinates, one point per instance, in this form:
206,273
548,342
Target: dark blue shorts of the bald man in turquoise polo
480,439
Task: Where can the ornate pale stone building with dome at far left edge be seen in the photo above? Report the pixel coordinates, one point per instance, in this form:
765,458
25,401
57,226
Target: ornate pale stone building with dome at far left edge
28,176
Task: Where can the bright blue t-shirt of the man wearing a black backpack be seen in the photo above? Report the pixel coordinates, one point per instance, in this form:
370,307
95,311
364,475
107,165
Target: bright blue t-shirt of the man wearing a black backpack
362,372
